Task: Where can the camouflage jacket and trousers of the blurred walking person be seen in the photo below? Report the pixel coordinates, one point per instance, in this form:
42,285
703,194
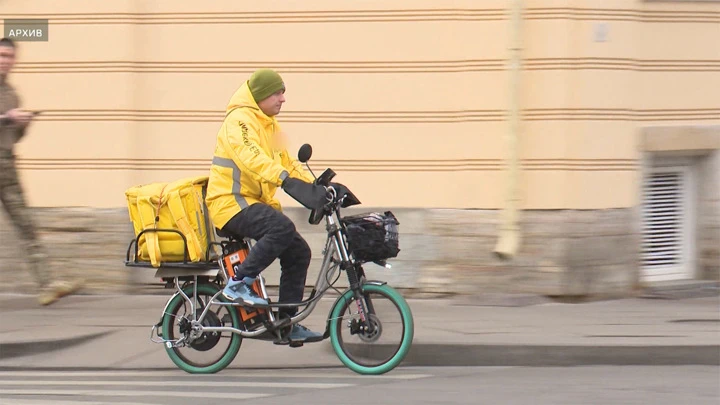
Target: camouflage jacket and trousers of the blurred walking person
11,193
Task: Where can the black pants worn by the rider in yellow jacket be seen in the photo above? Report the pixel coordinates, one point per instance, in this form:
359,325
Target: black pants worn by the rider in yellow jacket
276,237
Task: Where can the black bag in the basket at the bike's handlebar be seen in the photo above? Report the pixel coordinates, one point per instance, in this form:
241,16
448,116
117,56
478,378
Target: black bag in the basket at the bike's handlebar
373,236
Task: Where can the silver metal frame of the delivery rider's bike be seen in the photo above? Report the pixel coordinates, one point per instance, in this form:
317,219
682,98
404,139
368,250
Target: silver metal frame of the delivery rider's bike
335,243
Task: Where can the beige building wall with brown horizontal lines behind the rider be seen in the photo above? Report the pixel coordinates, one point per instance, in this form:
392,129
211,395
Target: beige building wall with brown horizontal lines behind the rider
407,100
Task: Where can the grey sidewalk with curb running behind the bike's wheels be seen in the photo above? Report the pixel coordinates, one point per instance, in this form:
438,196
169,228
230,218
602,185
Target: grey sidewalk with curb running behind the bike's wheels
100,331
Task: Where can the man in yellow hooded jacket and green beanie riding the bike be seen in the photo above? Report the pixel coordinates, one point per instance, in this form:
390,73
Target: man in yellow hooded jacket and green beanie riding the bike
249,164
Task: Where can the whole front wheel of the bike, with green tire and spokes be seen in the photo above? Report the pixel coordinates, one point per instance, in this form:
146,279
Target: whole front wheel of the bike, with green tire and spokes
379,344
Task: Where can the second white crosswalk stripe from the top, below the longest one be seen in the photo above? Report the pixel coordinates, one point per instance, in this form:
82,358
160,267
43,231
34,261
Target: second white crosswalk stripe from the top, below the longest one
228,384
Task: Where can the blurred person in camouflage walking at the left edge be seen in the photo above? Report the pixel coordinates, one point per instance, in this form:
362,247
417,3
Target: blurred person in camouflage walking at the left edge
13,126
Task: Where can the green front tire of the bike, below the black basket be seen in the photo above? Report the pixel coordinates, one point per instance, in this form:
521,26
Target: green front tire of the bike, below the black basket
407,337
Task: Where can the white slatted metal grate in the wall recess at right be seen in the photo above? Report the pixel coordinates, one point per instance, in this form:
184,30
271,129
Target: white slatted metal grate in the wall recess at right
663,219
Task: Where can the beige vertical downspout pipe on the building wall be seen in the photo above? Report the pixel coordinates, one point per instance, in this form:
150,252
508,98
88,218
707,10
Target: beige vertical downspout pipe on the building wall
509,231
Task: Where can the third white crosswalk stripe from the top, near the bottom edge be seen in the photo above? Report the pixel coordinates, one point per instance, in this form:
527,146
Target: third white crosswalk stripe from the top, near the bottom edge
133,393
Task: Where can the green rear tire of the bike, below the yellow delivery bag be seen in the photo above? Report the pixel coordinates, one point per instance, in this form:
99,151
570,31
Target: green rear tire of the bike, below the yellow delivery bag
235,341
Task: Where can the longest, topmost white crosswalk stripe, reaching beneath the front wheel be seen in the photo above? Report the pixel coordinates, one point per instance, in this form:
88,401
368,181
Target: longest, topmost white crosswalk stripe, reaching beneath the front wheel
247,373
